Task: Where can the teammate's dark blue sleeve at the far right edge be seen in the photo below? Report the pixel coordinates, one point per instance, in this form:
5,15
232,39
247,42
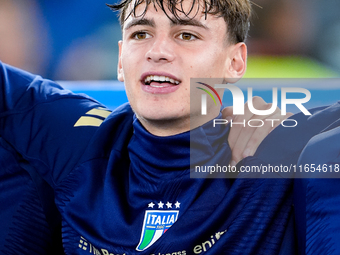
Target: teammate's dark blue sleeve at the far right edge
320,196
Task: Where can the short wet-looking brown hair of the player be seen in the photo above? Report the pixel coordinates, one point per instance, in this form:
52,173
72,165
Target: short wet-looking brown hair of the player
236,13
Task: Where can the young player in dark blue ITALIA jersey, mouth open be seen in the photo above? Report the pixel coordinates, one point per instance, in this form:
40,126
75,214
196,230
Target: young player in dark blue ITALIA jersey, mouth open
121,179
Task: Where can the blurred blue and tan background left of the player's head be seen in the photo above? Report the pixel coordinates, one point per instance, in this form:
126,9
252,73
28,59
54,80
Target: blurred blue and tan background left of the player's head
60,39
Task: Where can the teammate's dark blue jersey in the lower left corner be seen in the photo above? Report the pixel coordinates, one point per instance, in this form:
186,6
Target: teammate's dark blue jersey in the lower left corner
30,222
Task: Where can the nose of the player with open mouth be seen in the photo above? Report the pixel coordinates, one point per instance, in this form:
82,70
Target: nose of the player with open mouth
161,50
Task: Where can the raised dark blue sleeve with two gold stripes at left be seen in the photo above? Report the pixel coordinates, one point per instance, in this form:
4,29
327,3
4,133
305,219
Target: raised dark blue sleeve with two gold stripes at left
47,125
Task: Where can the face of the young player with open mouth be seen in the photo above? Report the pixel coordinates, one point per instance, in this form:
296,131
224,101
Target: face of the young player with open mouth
158,57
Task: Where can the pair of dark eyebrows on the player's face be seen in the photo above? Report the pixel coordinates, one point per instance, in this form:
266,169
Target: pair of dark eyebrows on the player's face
174,22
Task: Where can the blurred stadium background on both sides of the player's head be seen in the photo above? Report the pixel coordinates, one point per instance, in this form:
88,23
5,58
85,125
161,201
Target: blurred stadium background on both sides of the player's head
77,40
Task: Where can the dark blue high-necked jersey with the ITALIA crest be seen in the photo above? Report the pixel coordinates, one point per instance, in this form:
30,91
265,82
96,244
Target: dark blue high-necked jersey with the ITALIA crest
121,190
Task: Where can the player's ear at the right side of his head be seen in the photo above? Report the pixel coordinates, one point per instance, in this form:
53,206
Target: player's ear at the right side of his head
237,61
